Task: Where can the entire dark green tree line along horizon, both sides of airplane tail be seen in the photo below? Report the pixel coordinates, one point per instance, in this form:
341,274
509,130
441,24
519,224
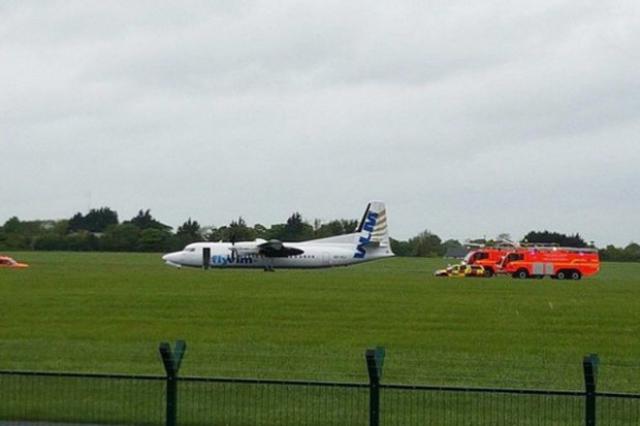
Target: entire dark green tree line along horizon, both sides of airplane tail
101,230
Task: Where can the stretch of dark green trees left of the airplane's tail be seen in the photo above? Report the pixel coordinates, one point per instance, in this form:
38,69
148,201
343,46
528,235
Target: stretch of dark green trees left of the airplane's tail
101,230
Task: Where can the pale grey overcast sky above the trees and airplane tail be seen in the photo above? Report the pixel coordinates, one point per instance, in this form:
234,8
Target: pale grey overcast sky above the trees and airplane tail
469,119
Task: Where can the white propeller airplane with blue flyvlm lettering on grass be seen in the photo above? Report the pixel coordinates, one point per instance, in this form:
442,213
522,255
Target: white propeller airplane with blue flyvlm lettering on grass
370,241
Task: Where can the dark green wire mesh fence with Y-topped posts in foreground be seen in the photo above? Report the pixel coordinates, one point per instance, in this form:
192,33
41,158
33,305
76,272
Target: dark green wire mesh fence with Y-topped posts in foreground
172,400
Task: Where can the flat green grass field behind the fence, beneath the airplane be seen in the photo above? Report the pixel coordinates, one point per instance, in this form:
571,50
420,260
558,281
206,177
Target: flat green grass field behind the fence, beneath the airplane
97,312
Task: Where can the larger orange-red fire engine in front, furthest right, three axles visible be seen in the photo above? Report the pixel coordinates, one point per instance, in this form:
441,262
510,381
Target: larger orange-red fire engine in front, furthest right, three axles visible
557,262
